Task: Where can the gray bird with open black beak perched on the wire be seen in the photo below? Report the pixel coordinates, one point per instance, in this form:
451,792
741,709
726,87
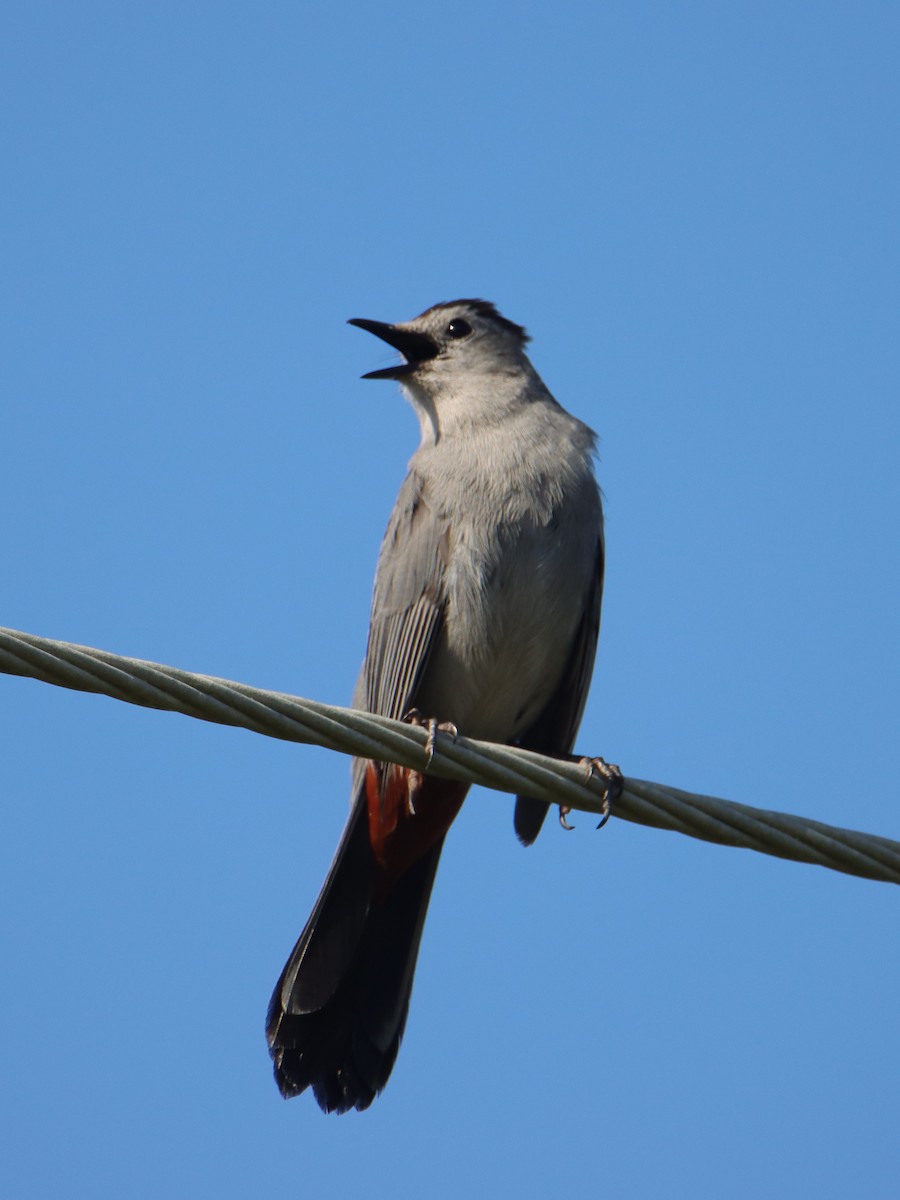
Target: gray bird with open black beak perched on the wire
485,615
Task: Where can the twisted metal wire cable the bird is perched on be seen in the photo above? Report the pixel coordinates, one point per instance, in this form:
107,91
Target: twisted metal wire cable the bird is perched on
500,767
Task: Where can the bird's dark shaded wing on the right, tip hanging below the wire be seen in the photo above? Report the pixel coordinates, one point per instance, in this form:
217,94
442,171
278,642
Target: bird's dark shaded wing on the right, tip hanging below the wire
555,730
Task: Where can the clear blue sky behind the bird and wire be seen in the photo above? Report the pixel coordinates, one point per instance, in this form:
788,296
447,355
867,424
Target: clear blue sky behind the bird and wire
694,208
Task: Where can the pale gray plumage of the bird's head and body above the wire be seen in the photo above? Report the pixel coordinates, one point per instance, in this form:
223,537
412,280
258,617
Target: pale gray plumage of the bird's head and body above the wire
491,569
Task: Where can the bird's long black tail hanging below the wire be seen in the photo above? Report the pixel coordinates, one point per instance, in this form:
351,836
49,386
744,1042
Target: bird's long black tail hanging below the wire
339,1011
